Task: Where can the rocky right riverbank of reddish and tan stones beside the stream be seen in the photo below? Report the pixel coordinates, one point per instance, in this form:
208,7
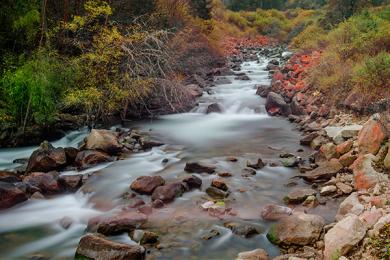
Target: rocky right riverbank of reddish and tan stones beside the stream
352,161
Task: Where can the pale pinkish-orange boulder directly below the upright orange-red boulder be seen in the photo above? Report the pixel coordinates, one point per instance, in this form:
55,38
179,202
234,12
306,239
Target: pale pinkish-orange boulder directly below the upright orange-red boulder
365,175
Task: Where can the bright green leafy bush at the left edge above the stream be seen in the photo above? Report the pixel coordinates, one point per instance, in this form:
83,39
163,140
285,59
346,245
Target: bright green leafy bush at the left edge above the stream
33,89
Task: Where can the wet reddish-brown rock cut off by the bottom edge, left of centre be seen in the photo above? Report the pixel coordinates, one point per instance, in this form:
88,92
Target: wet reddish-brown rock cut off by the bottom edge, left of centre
93,246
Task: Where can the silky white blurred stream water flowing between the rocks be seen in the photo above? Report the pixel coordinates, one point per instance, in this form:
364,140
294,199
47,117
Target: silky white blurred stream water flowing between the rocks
243,130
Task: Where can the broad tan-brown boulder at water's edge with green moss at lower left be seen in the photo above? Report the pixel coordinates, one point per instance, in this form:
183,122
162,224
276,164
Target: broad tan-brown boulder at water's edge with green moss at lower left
298,229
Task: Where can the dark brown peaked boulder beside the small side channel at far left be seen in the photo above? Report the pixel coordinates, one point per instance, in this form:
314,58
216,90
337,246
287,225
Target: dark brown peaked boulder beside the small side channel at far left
46,158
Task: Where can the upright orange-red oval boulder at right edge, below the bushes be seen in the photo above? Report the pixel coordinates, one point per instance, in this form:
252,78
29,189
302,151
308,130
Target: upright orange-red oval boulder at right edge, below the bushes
371,136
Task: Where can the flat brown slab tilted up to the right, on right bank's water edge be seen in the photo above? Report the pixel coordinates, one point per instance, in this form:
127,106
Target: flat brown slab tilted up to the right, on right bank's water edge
324,172
